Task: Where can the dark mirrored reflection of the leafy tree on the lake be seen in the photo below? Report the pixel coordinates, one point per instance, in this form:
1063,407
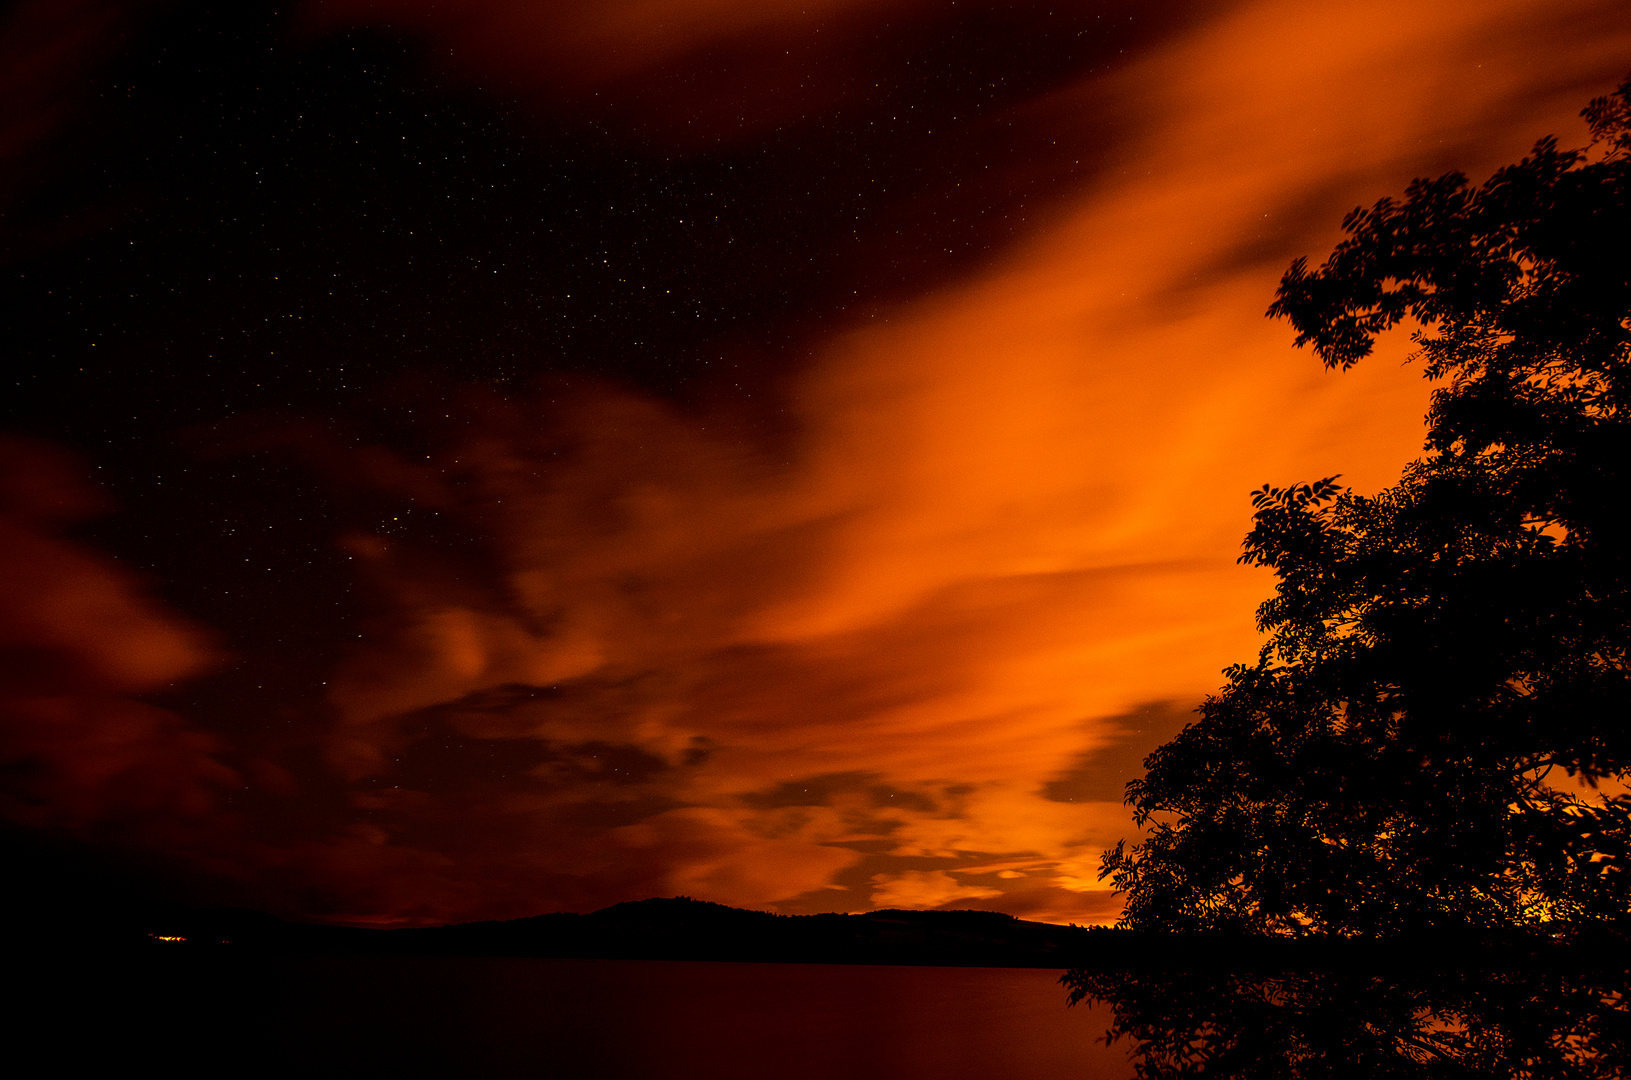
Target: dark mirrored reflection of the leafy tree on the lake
1348,1024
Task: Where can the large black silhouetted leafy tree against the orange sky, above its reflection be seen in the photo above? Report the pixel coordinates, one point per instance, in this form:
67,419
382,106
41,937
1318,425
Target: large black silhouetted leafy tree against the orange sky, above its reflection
1439,652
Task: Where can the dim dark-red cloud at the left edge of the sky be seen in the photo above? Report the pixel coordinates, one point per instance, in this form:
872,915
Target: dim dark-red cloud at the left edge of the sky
77,642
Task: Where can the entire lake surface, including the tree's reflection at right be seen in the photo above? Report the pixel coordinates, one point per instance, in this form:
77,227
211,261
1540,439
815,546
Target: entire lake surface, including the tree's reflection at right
229,1014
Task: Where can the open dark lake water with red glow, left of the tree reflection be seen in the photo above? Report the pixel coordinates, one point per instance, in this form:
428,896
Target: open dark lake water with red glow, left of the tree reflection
577,1019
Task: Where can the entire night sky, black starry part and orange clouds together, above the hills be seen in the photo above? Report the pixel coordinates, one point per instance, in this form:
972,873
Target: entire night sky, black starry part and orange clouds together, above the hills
474,461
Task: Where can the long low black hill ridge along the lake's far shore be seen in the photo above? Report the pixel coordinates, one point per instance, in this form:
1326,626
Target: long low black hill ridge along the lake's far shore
697,931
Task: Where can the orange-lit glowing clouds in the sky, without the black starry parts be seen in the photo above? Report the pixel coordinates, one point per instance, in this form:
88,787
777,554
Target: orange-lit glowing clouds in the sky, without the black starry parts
873,660
